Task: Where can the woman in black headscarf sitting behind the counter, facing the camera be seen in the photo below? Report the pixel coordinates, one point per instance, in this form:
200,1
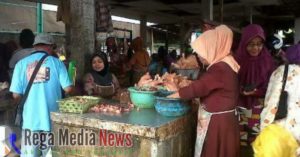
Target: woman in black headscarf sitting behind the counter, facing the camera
100,81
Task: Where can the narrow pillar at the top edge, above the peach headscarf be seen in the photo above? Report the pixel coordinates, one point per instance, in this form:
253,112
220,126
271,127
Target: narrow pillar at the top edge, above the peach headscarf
207,9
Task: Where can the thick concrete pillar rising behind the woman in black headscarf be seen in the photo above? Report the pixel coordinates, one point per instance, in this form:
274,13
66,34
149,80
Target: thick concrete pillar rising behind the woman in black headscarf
81,33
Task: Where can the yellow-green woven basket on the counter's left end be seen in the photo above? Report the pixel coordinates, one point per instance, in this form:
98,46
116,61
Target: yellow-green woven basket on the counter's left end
77,104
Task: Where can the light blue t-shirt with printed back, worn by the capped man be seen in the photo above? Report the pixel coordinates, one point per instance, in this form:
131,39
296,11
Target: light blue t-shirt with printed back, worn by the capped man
44,92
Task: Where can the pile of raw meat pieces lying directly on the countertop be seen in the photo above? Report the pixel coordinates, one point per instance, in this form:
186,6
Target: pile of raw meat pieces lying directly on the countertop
112,108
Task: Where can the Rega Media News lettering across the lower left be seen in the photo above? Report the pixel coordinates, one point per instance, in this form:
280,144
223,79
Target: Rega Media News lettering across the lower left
82,138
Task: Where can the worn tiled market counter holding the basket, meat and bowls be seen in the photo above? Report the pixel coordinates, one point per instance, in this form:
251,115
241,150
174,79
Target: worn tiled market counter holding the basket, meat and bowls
150,134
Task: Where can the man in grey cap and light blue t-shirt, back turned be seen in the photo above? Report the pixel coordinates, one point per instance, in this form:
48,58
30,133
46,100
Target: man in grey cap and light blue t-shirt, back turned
44,92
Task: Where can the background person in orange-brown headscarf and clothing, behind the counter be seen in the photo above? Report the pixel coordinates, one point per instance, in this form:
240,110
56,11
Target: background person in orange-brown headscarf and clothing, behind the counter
140,60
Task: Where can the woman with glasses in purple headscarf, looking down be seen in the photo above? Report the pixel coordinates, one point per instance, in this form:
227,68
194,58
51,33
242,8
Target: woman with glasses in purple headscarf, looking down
257,66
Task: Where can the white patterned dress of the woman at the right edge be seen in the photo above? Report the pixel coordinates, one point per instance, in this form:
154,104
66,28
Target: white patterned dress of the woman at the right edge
292,121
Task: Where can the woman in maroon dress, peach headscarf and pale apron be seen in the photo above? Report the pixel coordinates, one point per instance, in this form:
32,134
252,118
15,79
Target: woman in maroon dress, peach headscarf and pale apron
217,128
